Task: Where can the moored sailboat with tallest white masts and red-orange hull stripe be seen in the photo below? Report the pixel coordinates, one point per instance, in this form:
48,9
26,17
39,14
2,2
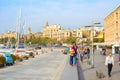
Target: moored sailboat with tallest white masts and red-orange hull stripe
20,46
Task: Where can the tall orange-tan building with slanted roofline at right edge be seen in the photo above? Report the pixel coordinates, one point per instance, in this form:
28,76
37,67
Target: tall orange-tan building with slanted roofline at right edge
112,26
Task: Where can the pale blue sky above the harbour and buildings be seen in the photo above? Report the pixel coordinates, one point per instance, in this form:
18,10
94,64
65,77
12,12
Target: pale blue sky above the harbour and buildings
70,14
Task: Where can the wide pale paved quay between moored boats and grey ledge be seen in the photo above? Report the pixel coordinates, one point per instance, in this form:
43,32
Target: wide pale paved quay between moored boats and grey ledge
47,66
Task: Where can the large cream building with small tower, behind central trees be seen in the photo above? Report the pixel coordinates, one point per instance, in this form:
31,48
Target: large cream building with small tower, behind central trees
55,32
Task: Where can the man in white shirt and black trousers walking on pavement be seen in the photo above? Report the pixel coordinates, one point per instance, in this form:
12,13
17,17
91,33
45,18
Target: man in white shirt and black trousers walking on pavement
109,62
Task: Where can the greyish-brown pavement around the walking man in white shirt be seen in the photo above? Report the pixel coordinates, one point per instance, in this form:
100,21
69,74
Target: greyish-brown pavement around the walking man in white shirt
90,74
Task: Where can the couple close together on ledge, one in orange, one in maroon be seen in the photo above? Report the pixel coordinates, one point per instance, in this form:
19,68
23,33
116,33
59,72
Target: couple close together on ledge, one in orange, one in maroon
73,53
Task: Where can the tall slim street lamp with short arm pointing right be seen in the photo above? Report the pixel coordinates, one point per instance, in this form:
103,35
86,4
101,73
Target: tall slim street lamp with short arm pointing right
93,25
